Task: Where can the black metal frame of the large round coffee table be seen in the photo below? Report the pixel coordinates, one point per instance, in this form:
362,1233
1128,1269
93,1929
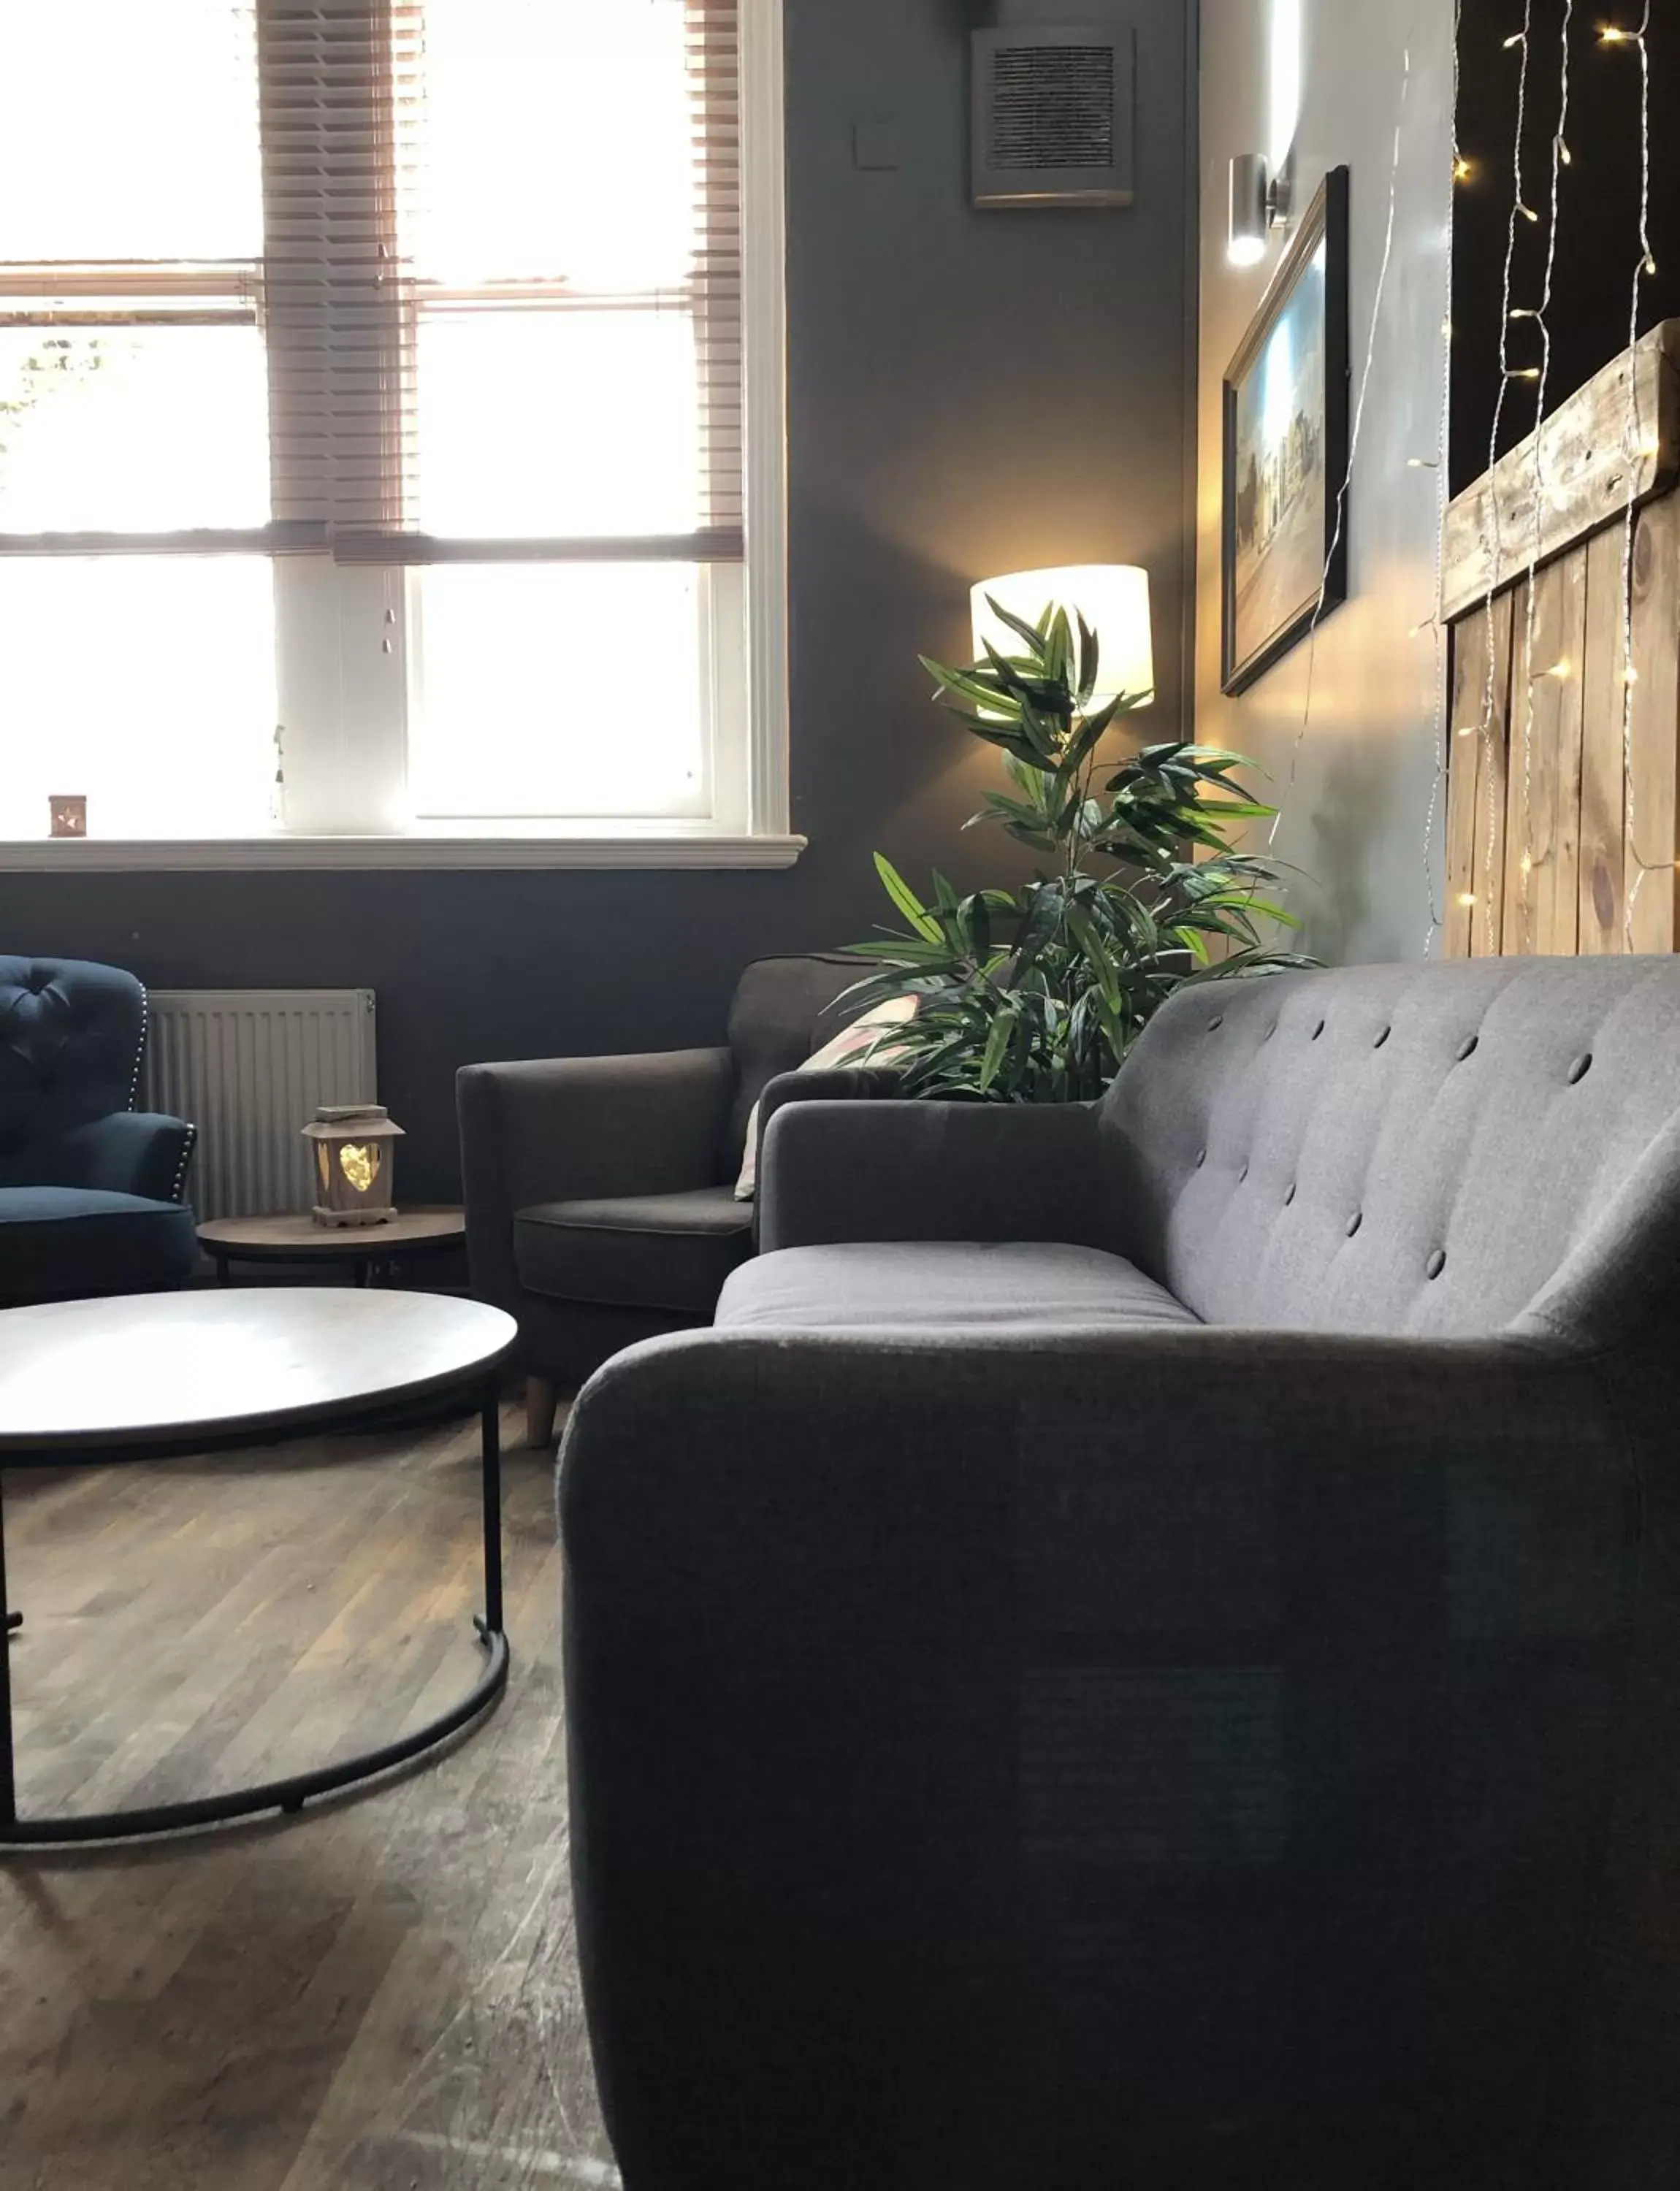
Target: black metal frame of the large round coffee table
297,1789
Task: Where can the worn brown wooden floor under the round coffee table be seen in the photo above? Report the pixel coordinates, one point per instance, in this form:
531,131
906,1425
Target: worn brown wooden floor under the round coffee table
376,1997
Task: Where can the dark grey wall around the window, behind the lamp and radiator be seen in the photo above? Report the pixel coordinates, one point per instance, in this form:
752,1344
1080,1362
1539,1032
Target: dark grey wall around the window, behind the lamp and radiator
969,393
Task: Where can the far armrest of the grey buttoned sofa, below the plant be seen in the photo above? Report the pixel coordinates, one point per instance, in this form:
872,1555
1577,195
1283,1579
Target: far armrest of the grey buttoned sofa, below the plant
932,1171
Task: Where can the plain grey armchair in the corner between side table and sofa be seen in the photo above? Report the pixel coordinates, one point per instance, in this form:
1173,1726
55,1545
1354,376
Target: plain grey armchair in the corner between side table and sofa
601,1191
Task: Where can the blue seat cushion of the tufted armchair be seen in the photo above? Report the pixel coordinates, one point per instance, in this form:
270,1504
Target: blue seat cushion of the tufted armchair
69,1243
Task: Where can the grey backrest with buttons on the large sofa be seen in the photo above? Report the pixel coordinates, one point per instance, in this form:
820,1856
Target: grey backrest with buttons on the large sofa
1399,1149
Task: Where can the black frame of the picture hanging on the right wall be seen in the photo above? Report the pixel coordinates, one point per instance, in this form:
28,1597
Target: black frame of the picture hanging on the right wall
1247,656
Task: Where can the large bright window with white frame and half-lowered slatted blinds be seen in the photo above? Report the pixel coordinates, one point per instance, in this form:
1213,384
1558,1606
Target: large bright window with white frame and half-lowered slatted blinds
406,376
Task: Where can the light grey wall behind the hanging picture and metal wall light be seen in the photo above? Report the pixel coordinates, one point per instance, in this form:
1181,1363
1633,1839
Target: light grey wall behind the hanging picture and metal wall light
1357,781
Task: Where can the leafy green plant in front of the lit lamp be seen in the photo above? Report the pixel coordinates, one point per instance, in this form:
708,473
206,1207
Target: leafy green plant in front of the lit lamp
1037,994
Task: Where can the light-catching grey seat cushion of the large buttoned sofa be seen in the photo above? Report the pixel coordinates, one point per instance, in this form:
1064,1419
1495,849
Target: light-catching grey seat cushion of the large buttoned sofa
945,1285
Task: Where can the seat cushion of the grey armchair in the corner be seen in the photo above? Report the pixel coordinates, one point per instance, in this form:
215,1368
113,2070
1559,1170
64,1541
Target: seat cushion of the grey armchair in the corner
636,1250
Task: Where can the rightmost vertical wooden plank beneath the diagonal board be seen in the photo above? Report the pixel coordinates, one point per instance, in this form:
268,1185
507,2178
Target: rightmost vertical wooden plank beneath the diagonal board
1653,794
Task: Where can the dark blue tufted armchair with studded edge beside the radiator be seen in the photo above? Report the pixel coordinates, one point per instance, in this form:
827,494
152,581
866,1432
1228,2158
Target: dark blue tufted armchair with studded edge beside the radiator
91,1189
